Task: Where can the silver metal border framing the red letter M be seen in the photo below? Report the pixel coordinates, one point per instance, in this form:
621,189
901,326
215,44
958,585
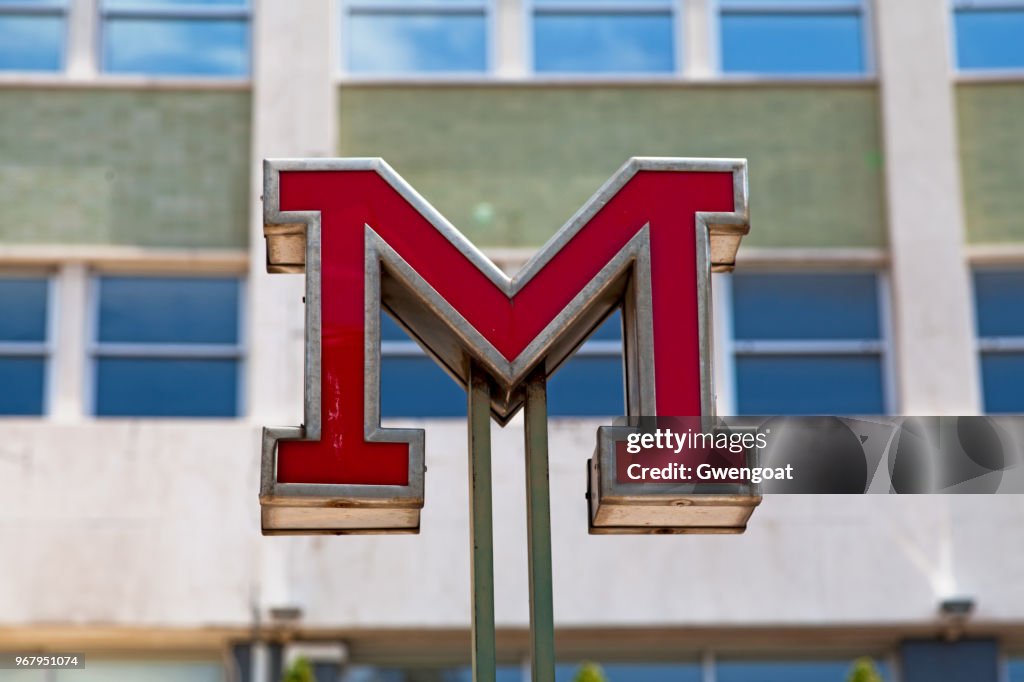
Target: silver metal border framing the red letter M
625,282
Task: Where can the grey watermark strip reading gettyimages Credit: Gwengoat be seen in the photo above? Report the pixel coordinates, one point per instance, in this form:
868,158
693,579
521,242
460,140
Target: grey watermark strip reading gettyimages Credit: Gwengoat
845,455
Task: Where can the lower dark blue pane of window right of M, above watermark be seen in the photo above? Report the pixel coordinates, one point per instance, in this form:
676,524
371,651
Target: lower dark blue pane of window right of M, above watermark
809,386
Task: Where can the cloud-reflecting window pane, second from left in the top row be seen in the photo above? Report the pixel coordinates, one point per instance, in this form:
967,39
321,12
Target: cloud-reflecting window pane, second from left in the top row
183,48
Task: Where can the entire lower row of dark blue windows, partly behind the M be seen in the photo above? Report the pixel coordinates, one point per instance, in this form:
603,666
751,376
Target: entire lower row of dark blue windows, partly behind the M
801,344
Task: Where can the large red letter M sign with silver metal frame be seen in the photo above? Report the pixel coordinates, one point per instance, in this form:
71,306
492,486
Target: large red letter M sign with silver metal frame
646,243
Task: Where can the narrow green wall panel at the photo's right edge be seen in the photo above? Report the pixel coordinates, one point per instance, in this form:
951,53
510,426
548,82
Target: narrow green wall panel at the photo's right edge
993,160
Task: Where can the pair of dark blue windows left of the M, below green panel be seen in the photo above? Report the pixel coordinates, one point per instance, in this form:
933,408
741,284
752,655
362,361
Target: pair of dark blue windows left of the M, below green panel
160,348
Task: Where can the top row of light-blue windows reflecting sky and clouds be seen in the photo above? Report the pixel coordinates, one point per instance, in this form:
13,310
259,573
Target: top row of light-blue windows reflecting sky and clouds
406,37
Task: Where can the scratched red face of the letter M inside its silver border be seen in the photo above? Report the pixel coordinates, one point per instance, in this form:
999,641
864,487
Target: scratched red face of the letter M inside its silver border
349,200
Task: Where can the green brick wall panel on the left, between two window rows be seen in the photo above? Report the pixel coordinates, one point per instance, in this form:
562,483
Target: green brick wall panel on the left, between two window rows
125,167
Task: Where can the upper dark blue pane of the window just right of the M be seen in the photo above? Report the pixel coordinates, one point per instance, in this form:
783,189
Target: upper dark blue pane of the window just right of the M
805,307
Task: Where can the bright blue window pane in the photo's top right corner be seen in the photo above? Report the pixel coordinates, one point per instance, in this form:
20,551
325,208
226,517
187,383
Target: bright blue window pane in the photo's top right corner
991,39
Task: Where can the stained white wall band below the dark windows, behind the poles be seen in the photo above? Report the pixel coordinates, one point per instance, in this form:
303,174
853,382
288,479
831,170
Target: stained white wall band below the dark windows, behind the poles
154,525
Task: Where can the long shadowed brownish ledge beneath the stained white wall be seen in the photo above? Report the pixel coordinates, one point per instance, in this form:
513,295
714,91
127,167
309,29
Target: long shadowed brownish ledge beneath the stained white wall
451,646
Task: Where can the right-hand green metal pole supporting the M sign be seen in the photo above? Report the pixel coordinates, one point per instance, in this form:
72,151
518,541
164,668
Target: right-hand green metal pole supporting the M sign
542,618
